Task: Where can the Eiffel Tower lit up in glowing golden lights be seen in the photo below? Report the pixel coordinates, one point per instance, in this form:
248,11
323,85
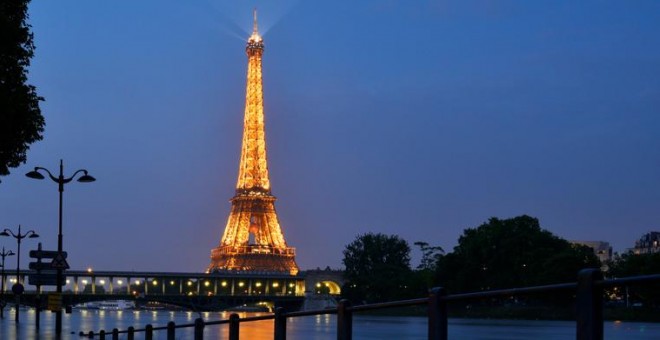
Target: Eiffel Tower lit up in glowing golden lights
253,240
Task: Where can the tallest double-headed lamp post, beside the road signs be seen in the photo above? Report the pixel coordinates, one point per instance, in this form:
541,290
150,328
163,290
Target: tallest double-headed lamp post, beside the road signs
60,180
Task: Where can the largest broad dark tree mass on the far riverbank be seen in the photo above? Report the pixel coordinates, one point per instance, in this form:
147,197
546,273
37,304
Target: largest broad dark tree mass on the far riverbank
511,253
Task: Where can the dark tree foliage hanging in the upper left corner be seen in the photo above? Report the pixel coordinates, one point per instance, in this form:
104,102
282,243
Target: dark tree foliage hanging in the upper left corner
21,122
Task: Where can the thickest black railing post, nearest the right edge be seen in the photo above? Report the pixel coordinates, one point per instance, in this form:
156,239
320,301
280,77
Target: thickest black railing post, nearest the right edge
589,305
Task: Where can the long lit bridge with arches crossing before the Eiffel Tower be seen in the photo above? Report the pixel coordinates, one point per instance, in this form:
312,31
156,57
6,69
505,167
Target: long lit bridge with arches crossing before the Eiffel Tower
195,291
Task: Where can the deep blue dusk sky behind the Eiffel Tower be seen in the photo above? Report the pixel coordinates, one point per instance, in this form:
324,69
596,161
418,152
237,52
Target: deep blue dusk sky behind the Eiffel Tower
416,118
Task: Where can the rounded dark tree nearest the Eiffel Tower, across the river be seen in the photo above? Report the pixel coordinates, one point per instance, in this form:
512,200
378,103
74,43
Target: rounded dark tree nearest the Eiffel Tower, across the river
377,268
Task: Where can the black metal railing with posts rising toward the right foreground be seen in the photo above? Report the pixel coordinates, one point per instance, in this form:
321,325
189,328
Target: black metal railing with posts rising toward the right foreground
588,290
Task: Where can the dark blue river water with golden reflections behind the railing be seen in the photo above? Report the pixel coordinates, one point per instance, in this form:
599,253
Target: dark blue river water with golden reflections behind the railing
309,328
